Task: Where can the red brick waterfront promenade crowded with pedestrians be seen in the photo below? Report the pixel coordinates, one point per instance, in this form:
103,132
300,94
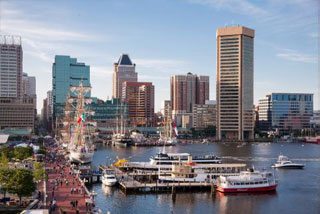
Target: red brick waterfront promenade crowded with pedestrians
65,193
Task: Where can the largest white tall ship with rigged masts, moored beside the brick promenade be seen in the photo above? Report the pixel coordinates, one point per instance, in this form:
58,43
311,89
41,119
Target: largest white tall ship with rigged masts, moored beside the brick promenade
81,146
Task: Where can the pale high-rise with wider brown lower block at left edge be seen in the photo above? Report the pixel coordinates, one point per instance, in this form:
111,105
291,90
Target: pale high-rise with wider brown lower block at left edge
17,109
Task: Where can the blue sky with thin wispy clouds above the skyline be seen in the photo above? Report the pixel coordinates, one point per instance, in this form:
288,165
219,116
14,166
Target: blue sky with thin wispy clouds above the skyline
164,38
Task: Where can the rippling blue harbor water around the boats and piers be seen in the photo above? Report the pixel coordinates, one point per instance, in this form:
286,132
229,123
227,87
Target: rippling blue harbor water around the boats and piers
297,192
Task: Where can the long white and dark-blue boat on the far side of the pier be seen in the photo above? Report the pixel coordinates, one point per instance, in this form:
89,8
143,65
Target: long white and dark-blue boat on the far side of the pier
163,158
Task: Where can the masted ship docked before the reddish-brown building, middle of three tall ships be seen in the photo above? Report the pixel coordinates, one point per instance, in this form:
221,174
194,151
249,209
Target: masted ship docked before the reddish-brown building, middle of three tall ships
120,137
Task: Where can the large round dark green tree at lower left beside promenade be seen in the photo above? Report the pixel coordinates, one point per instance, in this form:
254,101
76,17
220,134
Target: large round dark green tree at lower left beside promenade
22,183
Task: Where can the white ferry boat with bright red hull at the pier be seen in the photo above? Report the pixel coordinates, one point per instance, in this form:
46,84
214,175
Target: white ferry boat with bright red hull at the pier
247,181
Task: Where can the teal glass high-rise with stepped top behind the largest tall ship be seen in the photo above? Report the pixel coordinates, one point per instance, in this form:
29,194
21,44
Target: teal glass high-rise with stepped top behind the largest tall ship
66,72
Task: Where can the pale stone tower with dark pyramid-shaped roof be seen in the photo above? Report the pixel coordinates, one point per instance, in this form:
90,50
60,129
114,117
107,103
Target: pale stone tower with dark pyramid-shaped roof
124,71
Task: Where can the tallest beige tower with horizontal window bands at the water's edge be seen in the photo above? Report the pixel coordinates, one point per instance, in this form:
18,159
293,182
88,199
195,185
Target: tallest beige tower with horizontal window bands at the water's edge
235,83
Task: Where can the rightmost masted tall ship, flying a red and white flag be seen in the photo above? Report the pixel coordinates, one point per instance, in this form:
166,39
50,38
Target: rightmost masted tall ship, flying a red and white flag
166,134
